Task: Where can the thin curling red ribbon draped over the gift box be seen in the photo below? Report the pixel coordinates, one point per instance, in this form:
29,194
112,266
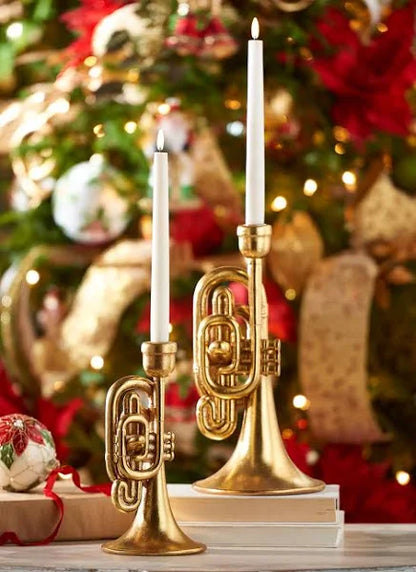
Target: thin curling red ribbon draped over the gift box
12,538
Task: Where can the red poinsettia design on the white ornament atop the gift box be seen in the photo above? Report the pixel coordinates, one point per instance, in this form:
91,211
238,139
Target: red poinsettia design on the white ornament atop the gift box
18,430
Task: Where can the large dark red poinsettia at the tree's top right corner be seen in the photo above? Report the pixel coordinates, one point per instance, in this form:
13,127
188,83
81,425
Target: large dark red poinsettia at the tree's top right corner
369,80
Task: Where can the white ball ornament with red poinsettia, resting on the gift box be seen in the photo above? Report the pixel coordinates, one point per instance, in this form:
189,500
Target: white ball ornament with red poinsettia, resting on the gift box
27,452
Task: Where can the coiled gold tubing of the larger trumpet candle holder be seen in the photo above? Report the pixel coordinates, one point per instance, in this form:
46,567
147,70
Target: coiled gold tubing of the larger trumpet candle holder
227,347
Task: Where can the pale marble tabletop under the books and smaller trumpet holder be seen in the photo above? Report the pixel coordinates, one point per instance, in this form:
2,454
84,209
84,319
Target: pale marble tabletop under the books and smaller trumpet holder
388,547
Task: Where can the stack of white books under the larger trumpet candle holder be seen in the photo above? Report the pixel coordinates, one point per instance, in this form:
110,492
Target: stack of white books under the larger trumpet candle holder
310,520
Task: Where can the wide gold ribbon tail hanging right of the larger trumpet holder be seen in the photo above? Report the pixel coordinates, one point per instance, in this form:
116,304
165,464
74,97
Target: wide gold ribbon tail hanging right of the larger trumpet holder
334,330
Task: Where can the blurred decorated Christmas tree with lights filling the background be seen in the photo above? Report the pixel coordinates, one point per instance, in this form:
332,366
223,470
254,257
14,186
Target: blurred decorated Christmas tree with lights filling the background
85,87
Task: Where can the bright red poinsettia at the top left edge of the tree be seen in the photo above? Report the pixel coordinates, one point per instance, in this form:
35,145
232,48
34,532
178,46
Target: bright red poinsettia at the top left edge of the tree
83,21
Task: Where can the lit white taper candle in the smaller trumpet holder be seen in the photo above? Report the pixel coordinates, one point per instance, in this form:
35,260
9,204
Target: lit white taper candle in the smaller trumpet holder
159,304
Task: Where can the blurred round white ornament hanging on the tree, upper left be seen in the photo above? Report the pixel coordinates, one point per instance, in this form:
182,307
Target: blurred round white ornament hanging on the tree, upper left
86,204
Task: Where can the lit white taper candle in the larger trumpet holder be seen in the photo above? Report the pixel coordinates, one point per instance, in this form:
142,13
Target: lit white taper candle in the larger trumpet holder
255,130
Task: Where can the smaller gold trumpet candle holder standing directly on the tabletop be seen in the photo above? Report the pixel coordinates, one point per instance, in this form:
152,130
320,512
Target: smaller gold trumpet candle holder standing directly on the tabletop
136,450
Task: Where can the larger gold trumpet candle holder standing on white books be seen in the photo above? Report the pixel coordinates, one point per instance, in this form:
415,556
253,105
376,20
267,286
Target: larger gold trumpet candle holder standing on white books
235,363
